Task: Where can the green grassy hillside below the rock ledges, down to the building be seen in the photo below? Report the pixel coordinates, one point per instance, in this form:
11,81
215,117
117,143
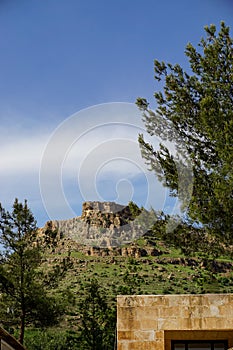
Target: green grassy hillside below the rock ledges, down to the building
169,271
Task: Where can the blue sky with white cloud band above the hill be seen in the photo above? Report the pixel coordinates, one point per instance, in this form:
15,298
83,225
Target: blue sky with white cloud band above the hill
59,59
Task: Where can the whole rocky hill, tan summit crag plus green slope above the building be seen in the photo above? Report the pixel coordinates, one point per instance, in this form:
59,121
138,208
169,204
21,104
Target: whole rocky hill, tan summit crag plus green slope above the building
81,249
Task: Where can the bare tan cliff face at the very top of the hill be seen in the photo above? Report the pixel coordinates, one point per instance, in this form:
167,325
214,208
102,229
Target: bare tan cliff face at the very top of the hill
102,224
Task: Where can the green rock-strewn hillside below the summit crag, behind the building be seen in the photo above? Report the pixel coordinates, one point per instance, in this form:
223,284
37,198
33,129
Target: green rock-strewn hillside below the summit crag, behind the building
184,261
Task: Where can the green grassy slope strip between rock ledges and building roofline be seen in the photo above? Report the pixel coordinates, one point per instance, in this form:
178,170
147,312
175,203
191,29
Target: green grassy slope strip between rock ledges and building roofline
171,272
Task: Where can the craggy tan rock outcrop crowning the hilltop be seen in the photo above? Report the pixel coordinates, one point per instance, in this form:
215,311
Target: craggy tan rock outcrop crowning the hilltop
102,228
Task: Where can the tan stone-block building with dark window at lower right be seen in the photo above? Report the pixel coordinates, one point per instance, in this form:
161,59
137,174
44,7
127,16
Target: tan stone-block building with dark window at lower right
175,322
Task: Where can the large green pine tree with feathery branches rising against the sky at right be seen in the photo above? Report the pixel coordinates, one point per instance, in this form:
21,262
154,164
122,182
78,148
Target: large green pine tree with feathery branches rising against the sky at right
195,109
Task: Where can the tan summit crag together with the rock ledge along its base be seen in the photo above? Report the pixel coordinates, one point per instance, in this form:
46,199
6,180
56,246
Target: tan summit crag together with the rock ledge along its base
104,229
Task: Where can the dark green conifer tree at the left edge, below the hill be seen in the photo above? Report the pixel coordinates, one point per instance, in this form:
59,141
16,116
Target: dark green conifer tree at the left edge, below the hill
23,297
